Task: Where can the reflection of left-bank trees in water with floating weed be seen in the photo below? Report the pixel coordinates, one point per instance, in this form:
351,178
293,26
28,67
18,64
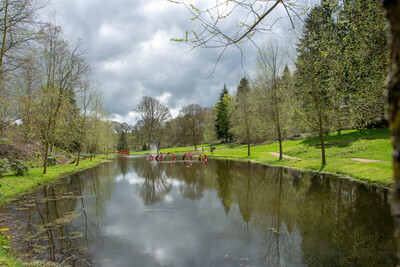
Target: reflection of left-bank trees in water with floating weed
57,214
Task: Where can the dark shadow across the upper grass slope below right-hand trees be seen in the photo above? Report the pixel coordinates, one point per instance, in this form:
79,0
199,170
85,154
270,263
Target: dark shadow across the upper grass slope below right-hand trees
347,138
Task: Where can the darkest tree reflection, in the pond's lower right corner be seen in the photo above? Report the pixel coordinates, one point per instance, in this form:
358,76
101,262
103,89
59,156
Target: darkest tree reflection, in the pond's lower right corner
345,224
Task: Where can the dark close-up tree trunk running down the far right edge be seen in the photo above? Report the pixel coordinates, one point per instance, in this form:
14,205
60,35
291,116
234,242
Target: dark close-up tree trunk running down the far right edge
393,82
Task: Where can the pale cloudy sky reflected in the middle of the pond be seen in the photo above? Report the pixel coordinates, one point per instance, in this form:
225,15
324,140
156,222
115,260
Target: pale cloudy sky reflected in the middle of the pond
177,231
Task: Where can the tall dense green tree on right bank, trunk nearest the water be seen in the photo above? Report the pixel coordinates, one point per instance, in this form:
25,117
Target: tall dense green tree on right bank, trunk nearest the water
312,71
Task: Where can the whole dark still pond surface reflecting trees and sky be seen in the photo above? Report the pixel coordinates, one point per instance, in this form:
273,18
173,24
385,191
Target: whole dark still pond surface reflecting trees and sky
131,212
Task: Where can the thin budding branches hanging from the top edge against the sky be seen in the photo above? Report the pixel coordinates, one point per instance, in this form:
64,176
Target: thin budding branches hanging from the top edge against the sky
215,21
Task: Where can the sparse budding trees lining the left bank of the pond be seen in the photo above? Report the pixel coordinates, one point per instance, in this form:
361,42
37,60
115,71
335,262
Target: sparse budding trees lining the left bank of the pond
48,94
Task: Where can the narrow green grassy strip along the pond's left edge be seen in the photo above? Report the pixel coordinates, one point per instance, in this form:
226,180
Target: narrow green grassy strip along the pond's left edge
12,186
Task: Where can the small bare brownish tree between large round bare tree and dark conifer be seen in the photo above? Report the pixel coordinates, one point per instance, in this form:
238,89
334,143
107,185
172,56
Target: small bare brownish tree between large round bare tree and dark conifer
193,117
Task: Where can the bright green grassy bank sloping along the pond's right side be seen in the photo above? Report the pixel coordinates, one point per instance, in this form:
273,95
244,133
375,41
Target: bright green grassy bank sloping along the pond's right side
342,151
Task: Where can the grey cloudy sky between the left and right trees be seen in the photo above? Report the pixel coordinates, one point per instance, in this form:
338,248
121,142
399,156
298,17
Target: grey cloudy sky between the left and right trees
129,47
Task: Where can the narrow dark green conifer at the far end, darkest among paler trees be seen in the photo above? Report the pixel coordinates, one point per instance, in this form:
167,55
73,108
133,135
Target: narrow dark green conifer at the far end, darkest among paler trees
222,123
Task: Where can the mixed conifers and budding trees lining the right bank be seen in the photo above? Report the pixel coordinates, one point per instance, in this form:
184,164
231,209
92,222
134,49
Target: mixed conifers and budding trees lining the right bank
335,83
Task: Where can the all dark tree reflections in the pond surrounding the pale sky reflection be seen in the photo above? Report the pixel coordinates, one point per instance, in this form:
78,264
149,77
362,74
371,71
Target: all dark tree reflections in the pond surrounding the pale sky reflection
302,218
